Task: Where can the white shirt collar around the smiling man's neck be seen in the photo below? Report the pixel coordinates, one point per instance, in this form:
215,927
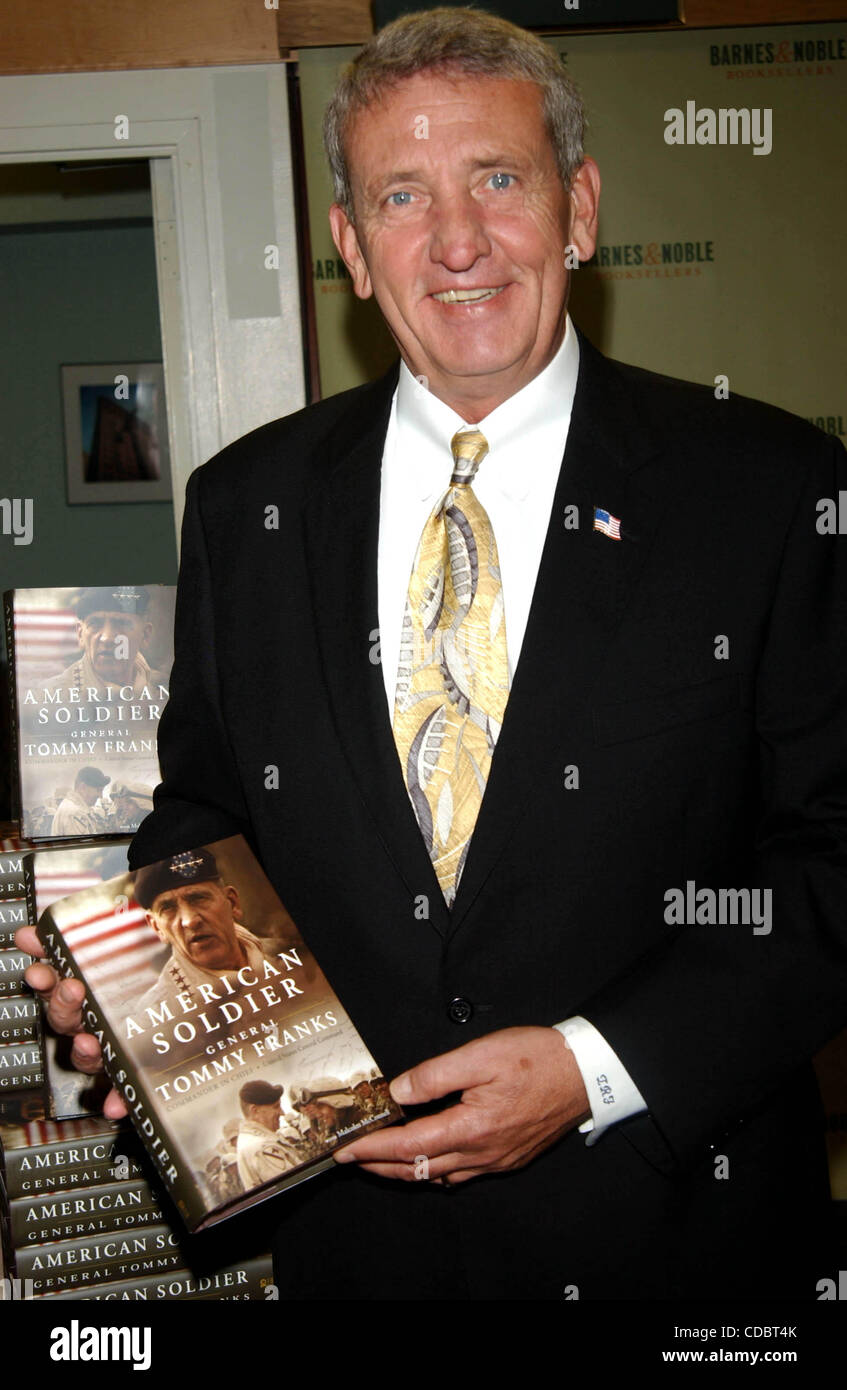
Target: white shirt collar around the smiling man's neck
529,412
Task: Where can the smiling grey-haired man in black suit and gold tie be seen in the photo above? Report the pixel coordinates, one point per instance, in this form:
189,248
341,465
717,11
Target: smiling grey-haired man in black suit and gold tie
675,721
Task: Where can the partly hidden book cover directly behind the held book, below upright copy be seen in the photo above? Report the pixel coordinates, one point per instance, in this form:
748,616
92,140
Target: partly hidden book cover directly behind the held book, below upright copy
49,875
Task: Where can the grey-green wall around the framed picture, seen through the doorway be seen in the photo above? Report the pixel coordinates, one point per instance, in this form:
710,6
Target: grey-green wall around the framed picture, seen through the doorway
74,295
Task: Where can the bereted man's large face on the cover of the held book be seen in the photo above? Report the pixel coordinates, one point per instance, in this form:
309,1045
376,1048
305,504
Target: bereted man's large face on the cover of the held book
200,919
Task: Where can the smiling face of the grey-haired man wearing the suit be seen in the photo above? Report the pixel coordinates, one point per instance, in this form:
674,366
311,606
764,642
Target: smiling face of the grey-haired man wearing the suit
457,188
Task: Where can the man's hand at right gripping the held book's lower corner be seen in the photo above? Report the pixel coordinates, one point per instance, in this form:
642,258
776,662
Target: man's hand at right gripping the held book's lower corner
521,1092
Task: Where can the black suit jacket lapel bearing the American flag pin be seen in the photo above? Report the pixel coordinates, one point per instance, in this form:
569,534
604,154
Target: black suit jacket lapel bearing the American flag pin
585,583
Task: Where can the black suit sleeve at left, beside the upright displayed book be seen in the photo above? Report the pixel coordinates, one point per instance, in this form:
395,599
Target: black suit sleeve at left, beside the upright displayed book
200,799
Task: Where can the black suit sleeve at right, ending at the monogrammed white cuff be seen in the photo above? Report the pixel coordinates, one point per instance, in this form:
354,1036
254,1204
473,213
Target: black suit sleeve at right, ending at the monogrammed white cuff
720,1020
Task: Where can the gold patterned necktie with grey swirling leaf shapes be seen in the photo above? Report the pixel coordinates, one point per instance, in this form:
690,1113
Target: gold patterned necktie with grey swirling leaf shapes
454,672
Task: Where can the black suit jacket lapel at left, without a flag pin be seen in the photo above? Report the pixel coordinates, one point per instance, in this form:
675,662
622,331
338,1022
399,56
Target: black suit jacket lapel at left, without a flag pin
341,521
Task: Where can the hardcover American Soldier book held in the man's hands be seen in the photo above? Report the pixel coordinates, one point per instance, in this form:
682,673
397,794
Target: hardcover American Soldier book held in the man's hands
241,1070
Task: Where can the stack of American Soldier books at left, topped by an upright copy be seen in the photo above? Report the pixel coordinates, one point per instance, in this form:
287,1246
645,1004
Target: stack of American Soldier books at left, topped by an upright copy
80,1209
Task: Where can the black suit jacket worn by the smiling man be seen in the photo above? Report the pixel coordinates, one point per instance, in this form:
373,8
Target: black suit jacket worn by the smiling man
721,762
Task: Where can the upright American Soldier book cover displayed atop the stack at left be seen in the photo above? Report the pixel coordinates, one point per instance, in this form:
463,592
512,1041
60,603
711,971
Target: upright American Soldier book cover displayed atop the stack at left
90,675
